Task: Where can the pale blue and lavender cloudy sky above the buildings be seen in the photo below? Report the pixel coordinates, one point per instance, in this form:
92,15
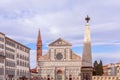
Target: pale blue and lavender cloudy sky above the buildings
22,19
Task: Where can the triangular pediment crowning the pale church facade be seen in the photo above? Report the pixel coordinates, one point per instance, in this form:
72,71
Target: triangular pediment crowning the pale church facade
60,42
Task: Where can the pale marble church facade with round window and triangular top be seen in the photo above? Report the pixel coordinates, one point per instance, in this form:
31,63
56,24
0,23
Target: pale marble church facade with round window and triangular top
60,62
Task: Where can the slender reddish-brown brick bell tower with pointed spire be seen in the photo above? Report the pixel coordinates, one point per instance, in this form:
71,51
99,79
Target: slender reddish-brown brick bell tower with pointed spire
39,46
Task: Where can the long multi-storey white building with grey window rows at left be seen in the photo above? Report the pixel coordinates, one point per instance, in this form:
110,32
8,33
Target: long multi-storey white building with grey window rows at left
14,59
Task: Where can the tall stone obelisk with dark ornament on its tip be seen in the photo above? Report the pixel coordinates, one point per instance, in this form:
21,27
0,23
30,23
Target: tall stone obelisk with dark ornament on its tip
86,69
